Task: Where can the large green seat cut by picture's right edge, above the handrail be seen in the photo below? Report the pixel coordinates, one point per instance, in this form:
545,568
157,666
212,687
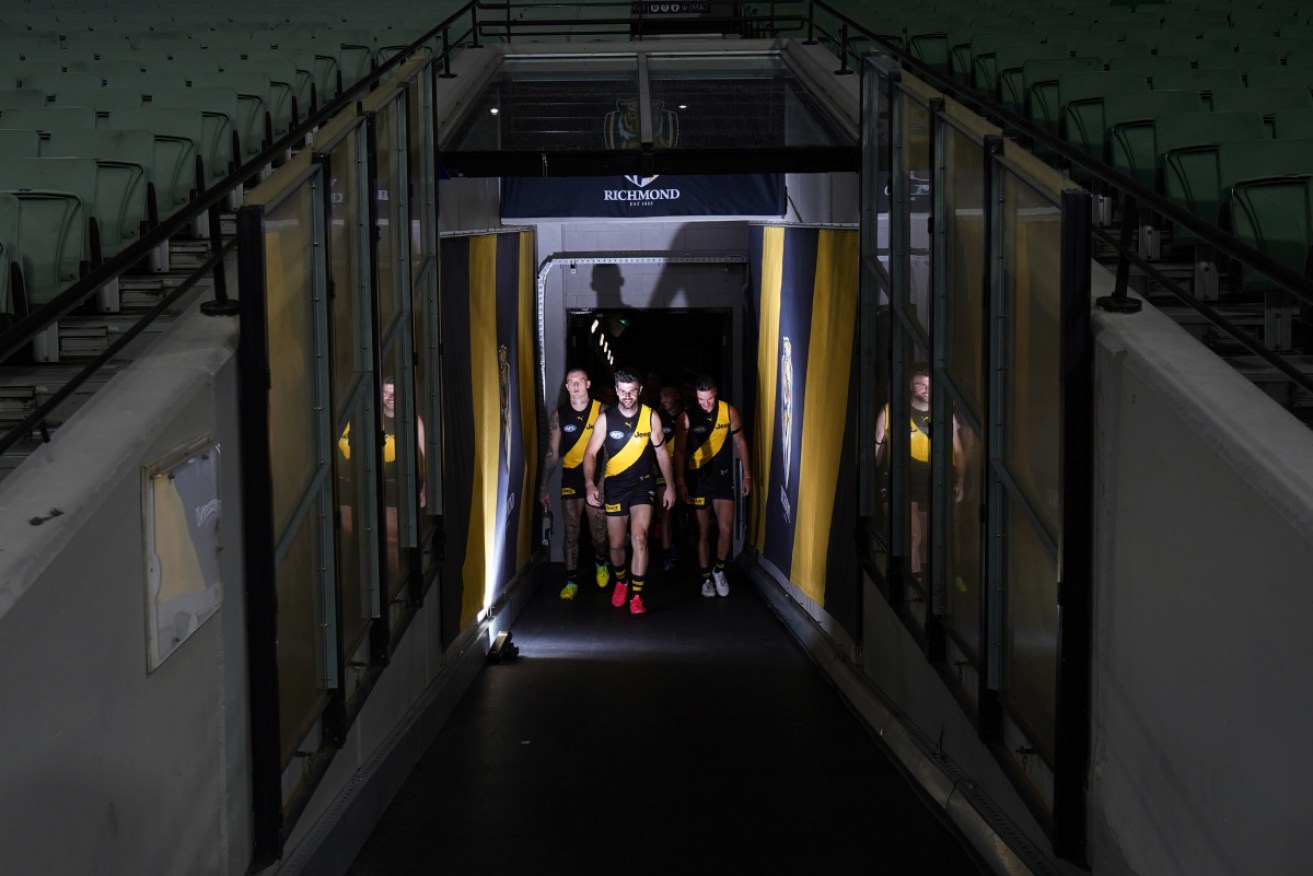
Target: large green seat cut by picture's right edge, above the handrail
1272,202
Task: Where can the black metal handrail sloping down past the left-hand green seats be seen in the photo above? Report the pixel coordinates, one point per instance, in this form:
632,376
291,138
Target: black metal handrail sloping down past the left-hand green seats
22,334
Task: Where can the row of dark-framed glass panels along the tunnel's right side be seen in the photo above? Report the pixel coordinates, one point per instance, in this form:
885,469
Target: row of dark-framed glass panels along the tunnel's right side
983,317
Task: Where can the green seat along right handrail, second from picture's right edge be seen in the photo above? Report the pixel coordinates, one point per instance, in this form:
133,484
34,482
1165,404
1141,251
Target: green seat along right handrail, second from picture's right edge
1188,148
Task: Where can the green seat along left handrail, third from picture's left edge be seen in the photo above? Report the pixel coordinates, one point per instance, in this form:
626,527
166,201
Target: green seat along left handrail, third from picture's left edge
124,166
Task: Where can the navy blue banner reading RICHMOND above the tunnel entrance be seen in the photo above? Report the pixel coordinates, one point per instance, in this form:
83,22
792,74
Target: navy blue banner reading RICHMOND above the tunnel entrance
619,198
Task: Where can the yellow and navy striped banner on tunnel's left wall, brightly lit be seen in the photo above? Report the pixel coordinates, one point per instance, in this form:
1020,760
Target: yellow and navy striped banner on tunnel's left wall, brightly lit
490,418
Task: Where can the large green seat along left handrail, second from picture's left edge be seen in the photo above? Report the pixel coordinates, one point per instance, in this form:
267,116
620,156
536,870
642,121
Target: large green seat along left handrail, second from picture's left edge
54,196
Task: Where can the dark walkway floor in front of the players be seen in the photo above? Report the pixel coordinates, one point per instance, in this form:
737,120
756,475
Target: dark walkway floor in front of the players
697,739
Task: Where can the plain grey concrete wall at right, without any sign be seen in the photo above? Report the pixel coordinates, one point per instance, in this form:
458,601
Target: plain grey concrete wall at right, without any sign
1202,614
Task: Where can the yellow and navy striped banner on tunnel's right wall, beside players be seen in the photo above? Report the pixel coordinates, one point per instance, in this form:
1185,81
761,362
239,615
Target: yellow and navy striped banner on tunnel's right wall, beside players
806,296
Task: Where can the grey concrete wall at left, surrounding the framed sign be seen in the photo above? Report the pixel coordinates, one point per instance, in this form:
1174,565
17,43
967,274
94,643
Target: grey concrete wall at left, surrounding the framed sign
108,768
